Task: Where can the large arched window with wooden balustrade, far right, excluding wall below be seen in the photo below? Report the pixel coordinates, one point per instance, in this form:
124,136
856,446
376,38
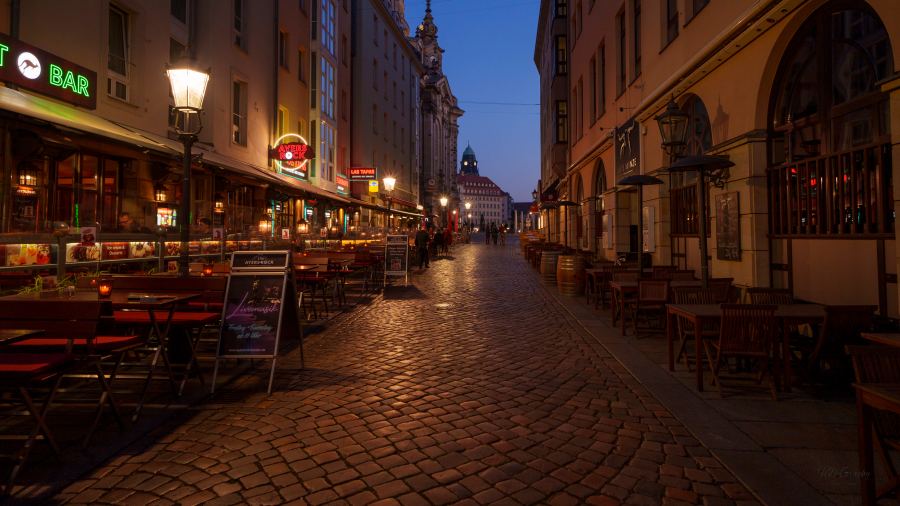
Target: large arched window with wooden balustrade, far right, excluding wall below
830,170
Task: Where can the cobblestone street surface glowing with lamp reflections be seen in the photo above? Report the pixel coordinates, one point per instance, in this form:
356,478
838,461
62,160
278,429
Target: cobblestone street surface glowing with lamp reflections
468,387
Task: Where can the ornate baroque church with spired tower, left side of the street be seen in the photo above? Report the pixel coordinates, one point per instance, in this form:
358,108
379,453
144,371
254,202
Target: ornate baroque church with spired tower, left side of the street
439,125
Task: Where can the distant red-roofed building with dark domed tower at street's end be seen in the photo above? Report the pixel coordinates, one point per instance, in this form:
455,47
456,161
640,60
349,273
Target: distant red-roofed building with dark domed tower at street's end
488,203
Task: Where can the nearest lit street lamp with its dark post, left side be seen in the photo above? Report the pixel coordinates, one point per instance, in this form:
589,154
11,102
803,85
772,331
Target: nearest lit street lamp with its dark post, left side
188,88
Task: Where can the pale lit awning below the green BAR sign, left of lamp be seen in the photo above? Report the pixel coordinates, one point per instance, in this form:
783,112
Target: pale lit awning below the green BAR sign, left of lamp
71,117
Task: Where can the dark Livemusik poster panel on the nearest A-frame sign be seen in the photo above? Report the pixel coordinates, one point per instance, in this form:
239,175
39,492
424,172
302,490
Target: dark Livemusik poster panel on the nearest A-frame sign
251,319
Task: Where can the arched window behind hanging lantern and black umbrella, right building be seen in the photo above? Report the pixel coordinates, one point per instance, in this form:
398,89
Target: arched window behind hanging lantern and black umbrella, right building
684,233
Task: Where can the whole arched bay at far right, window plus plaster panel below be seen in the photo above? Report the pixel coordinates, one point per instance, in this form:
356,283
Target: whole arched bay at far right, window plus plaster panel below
829,174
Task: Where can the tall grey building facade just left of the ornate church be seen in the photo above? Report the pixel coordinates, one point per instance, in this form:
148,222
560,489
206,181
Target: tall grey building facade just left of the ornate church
386,103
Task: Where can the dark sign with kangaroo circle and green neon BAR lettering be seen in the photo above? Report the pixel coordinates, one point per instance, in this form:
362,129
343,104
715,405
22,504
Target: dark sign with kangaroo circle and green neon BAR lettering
46,73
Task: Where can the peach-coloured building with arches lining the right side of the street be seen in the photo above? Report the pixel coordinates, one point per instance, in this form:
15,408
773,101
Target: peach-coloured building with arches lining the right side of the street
797,94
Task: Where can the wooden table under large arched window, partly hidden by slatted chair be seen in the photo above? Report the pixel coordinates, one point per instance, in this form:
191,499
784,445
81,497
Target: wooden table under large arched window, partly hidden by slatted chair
701,314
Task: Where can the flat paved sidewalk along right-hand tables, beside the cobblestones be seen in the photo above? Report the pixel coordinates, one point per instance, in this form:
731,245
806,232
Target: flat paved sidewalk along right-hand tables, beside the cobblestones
799,450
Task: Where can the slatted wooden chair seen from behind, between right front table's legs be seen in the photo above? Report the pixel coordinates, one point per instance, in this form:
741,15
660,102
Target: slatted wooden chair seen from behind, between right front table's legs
747,332
